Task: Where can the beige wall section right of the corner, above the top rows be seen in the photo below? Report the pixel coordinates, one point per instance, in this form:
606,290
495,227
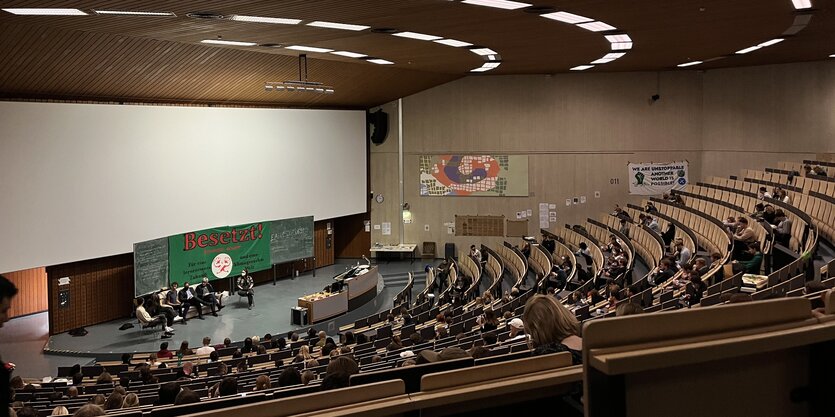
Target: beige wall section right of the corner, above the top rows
757,116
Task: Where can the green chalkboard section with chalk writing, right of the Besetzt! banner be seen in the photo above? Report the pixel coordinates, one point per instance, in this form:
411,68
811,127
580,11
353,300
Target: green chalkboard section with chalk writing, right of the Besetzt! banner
291,239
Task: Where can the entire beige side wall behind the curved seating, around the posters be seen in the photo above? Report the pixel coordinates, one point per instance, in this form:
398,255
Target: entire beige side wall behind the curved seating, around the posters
581,130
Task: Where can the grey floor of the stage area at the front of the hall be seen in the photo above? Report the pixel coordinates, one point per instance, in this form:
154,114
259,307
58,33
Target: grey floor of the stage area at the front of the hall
271,314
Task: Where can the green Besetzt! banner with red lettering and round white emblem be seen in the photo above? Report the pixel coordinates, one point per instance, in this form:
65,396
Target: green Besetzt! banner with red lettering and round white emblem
218,253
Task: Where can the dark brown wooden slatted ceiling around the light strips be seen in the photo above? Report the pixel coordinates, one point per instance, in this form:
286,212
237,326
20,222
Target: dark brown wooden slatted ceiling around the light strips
126,58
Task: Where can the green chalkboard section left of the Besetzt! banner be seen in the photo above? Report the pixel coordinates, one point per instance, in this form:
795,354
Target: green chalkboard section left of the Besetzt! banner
150,266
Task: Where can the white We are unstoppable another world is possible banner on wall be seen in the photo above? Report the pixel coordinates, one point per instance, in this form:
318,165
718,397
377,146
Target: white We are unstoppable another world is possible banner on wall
657,178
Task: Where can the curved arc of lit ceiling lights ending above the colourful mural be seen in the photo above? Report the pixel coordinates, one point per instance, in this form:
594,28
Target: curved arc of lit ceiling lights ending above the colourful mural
618,42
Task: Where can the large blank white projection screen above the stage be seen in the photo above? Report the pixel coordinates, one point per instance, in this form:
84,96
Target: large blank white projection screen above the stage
82,181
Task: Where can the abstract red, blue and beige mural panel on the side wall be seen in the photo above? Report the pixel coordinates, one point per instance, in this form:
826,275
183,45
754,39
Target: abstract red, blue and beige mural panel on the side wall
474,175
